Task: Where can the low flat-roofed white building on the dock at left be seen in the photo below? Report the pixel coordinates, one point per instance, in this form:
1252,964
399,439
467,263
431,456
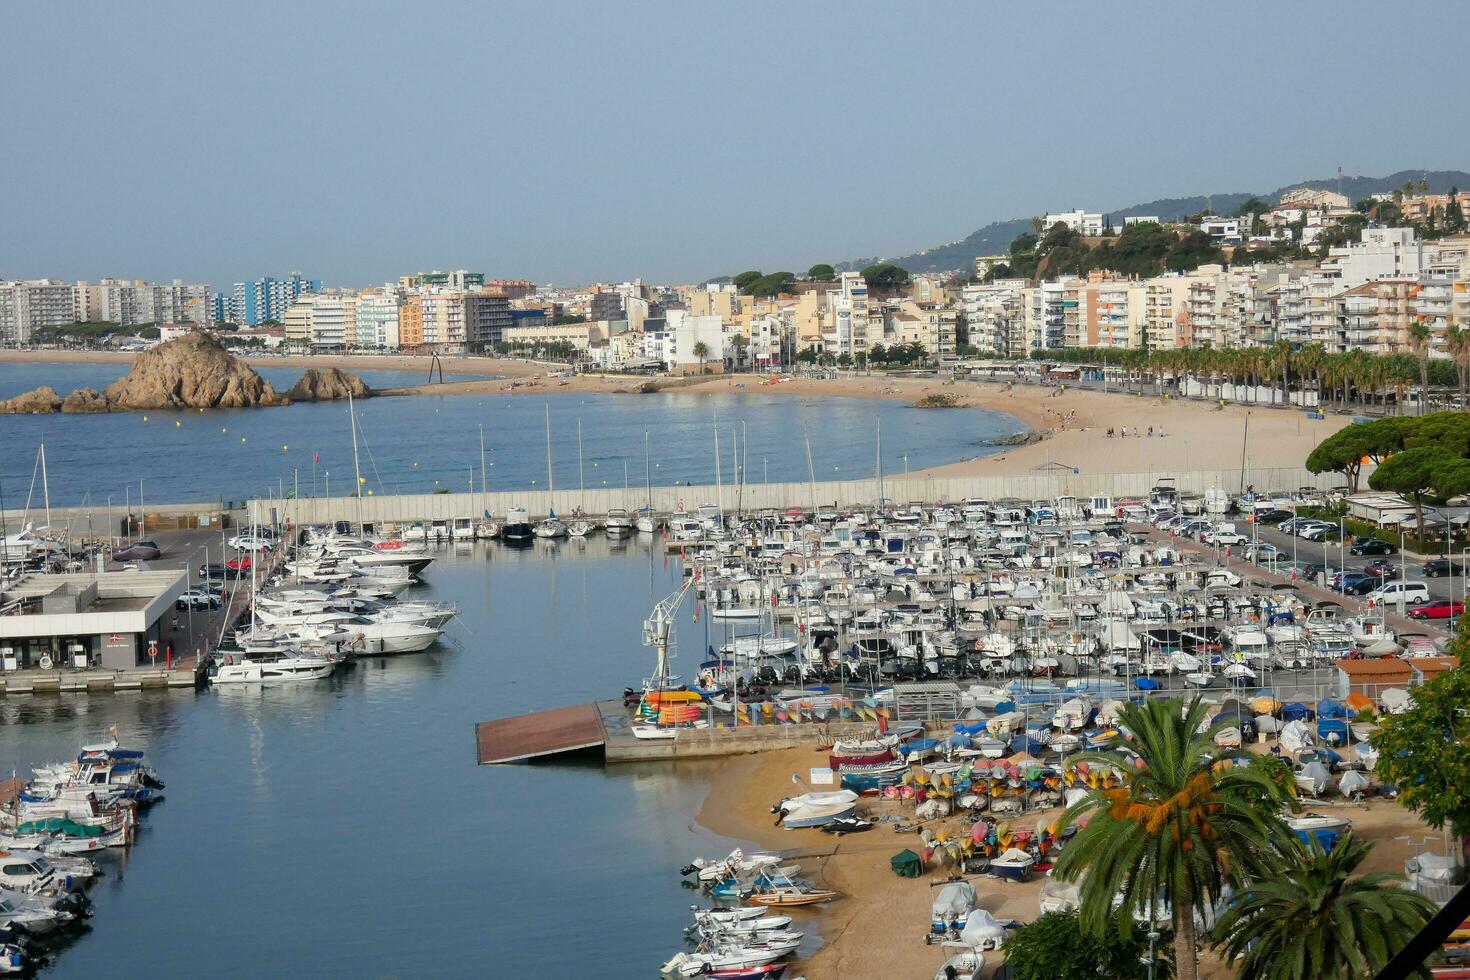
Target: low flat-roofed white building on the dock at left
98,619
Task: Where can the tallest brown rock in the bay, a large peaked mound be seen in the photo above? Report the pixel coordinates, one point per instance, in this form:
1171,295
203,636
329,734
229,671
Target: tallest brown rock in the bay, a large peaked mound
192,372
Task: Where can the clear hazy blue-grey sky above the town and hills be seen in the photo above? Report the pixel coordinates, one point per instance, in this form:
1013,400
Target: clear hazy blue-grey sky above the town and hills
668,140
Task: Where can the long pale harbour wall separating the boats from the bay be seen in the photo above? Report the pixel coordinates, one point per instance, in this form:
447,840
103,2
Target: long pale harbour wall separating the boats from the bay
1046,484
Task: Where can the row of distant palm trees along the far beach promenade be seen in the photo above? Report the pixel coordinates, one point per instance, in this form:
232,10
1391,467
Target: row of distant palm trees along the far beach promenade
1338,378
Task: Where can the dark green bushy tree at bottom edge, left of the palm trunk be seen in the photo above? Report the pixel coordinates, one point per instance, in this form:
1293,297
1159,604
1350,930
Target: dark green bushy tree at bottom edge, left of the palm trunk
1056,948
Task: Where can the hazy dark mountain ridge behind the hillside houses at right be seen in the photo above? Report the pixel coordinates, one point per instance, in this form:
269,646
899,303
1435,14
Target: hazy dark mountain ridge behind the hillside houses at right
997,237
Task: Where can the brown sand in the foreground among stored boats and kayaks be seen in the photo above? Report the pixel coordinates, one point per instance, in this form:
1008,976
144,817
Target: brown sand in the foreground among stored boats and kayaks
878,925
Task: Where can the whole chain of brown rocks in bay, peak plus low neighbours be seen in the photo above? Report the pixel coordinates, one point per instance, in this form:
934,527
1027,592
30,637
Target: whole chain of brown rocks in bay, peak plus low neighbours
190,372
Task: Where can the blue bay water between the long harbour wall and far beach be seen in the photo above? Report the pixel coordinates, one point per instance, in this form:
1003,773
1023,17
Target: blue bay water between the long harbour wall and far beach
421,444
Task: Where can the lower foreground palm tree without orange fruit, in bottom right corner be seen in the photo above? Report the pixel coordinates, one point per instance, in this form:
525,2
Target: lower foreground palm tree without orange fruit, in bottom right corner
1309,918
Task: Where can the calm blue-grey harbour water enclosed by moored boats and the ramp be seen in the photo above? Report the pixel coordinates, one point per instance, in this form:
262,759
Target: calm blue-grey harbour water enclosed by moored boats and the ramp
343,829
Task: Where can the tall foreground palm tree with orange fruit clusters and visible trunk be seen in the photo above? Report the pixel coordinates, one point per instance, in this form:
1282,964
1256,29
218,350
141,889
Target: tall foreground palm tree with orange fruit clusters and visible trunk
1184,822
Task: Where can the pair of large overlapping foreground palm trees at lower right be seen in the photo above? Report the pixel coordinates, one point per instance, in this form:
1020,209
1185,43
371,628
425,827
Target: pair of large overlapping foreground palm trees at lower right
1190,822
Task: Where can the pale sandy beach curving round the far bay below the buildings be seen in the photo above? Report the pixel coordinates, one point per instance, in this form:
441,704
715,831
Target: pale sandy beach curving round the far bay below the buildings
1187,436
